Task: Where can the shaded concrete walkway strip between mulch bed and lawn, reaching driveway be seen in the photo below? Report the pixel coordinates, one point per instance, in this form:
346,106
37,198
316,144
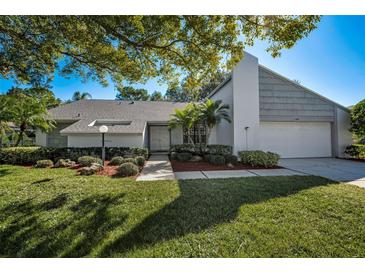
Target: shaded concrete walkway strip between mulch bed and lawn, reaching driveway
186,175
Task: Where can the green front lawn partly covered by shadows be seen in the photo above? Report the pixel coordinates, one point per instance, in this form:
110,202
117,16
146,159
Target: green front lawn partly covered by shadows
53,213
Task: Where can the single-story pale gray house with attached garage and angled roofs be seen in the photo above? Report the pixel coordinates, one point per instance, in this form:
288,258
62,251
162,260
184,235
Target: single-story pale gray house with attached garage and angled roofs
269,112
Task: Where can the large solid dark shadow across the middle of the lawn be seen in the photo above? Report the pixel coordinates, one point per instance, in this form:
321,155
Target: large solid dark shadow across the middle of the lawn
205,203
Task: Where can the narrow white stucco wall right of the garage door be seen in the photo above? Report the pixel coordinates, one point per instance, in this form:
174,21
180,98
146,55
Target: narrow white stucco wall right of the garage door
344,136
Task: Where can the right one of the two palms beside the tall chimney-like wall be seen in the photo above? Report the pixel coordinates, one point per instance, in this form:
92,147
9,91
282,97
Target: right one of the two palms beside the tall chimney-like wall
212,113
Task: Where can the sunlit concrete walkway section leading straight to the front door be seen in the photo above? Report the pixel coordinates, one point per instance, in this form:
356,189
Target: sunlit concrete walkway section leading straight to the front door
158,167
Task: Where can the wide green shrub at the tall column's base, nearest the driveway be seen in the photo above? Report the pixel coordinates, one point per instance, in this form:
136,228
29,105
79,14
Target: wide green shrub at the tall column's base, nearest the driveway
258,158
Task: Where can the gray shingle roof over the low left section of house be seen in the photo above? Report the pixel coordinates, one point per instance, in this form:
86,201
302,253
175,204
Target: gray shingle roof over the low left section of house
84,112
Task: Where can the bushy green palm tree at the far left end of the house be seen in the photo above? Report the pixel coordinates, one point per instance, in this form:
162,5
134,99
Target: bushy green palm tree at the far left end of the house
28,112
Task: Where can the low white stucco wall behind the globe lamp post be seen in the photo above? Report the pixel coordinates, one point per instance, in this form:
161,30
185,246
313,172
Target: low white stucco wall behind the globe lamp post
111,140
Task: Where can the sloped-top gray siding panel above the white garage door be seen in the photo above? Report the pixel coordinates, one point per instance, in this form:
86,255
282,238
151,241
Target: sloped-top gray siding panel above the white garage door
282,100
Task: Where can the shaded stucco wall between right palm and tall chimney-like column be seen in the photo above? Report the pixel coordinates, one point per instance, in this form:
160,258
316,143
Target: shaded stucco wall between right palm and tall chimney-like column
223,132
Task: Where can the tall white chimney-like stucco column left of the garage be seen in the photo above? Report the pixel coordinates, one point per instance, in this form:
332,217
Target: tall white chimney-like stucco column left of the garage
246,104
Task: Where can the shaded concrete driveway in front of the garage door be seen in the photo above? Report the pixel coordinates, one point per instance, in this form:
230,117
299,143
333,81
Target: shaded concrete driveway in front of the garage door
332,168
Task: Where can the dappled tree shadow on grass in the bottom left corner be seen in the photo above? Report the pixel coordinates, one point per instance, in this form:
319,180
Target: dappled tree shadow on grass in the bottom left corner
26,234
